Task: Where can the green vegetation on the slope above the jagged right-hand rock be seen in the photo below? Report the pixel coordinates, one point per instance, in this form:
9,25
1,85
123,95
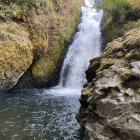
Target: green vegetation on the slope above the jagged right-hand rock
119,16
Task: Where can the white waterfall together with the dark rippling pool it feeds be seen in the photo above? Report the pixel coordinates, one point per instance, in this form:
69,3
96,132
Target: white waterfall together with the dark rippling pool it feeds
50,114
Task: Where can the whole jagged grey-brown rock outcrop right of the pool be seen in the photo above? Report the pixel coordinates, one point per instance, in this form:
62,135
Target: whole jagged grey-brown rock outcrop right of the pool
110,101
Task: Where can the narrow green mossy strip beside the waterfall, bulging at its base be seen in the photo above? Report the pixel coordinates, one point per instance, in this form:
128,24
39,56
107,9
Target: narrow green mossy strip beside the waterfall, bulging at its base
45,69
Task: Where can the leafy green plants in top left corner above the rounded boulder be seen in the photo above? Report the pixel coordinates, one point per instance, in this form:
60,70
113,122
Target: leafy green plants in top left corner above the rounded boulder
18,9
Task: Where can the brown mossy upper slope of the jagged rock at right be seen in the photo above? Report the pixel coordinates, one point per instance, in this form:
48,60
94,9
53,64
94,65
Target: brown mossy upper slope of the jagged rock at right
124,49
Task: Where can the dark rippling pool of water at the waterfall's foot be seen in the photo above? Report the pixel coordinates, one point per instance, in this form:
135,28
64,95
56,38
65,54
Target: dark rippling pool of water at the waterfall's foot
39,115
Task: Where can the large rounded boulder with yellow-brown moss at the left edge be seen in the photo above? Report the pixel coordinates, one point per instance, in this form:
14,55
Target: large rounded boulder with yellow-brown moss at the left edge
15,53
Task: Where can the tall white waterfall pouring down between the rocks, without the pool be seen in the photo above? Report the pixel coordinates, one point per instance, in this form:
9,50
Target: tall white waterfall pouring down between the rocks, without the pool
85,46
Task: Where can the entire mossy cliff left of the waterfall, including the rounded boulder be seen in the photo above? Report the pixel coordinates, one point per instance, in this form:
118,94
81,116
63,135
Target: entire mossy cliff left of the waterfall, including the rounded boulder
33,35
